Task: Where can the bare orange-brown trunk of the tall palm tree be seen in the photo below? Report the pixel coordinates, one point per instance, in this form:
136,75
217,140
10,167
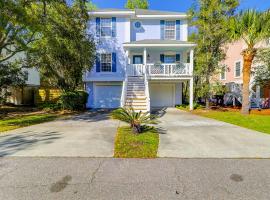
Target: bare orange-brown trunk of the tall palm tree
248,56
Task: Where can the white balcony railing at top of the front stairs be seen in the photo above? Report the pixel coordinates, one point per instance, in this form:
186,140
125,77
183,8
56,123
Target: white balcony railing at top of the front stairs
159,70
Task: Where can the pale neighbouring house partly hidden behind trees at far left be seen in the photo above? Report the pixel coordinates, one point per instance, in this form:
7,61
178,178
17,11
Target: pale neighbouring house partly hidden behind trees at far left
25,95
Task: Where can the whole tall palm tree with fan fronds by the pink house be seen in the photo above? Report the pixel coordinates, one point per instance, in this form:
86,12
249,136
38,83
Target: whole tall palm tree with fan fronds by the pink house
252,27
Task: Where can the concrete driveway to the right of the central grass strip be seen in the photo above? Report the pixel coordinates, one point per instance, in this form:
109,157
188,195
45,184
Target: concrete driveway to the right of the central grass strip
186,135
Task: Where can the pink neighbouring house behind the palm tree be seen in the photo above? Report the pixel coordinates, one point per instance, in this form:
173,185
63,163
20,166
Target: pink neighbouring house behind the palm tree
231,76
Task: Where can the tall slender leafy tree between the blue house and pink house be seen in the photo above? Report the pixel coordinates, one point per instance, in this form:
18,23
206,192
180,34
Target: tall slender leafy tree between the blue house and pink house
210,18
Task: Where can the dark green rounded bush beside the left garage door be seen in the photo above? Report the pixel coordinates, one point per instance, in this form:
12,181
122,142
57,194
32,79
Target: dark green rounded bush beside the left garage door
73,100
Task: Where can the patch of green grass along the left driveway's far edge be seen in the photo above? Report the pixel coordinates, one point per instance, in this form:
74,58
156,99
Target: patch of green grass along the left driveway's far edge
22,121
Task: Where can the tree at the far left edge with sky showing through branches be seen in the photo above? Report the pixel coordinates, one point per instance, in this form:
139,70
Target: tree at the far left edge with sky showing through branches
15,37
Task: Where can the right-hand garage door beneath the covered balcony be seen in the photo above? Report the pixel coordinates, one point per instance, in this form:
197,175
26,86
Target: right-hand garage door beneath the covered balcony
162,95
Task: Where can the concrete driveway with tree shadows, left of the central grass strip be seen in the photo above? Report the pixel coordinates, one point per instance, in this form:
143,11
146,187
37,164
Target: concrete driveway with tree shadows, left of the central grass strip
86,135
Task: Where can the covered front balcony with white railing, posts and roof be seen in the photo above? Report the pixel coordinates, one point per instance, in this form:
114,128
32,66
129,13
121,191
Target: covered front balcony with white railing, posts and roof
160,59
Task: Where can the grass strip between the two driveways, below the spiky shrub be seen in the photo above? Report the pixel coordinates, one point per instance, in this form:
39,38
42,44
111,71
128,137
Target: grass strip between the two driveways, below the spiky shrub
130,145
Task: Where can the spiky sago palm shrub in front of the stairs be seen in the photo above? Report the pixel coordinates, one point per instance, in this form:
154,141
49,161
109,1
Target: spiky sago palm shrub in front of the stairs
135,119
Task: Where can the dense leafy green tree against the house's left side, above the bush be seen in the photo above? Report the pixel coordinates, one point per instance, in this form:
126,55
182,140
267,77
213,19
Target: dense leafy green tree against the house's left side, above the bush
64,50
